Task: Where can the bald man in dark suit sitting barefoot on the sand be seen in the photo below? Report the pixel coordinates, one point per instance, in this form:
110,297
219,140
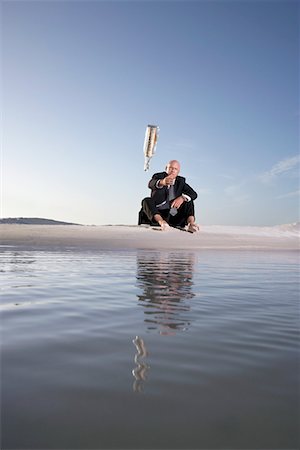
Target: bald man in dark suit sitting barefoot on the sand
171,202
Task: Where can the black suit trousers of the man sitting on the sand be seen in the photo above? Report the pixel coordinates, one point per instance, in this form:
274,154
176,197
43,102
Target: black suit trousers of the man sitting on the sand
179,220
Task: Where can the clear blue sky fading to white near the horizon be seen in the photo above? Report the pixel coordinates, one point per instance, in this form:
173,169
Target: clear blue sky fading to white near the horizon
81,80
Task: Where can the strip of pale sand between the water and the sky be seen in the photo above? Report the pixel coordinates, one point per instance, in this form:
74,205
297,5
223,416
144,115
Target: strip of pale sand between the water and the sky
123,237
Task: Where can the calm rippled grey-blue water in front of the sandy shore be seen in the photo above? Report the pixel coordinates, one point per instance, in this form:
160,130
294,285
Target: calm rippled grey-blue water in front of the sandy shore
150,350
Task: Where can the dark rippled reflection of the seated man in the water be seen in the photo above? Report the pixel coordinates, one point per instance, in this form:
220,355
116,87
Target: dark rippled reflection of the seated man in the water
166,282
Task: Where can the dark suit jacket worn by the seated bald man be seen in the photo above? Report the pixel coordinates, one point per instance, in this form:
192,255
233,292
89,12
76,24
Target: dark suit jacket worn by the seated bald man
161,194
